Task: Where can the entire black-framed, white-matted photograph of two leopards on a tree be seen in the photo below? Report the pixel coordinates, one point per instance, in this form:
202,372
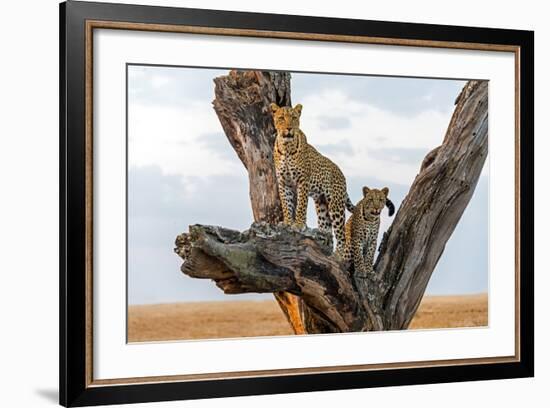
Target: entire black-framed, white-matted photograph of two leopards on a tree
260,203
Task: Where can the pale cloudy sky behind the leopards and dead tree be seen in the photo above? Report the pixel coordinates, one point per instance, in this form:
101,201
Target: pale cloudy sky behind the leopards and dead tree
182,170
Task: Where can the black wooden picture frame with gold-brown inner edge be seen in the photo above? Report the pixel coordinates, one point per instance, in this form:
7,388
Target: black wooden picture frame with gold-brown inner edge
78,20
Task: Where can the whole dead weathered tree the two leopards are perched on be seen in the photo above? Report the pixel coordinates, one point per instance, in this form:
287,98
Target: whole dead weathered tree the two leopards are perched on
318,293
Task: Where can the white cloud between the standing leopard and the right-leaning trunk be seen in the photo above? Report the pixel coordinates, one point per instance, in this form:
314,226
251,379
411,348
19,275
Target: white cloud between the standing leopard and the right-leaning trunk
370,129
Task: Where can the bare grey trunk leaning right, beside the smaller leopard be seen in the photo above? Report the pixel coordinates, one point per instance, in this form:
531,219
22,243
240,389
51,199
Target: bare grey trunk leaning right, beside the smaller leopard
430,212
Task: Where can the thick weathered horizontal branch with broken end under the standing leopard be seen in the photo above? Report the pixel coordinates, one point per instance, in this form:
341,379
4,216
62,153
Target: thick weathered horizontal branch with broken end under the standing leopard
269,259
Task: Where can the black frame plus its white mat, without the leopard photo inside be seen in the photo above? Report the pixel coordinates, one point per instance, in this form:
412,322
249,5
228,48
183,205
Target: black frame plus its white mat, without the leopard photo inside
98,366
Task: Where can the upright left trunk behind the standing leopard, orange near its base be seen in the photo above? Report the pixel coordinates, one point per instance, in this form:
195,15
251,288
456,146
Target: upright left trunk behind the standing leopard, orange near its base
242,105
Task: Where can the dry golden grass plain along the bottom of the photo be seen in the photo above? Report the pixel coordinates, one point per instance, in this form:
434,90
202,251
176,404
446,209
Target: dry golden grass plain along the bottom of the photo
210,320
